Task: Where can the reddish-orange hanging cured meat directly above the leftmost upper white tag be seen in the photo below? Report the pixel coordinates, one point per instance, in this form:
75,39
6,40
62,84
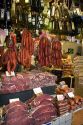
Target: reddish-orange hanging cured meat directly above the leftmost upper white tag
10,56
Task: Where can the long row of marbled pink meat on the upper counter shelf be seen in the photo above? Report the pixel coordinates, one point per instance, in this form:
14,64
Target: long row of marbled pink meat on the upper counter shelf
27,81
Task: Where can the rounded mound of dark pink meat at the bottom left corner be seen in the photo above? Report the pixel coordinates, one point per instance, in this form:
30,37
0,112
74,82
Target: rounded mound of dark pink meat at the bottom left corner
17,116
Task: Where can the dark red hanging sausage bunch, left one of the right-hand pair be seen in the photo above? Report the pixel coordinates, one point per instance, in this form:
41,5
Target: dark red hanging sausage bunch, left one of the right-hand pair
44,54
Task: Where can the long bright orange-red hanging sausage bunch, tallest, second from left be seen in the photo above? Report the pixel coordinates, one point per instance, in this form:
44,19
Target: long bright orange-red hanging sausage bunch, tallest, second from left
27,49
